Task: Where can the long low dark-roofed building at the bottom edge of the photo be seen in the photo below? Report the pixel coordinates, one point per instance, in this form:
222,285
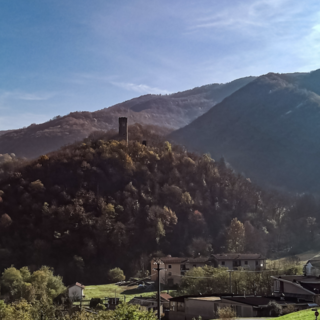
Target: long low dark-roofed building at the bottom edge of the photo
189,307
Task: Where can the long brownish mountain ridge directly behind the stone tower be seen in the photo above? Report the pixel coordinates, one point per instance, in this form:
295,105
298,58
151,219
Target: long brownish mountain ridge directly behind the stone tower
170,111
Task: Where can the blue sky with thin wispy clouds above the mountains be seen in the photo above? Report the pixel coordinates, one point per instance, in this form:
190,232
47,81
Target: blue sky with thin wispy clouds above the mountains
60,56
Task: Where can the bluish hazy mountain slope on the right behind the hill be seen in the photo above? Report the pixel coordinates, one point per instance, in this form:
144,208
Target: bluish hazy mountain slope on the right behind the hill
269,130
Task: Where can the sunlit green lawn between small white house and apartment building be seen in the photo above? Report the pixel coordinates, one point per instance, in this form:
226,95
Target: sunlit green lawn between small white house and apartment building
112,290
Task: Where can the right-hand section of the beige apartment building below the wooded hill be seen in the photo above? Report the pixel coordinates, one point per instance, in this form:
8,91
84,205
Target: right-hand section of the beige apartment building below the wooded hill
235,261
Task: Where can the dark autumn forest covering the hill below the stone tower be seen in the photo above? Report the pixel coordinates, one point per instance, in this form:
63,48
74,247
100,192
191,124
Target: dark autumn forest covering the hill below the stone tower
100,204
